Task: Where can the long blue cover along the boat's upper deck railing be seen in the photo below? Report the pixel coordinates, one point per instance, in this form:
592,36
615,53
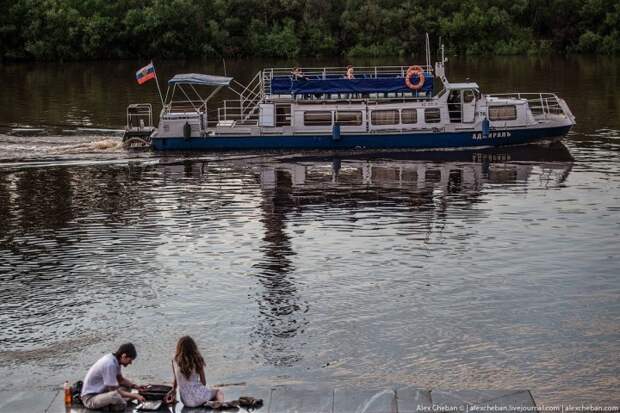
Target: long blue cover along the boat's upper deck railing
340,84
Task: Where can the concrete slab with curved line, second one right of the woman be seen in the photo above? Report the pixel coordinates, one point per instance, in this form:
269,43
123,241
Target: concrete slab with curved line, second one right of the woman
365,401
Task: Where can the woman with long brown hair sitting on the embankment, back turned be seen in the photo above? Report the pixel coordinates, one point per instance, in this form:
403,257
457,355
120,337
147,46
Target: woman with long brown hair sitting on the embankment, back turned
188,370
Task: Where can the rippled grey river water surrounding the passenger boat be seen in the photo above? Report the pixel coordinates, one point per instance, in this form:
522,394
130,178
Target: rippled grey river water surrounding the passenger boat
458,270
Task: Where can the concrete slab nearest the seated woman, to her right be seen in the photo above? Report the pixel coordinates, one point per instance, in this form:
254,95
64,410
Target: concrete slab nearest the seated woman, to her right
300,400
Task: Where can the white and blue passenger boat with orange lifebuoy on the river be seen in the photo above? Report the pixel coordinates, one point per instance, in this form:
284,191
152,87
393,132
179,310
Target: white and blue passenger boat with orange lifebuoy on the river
383,107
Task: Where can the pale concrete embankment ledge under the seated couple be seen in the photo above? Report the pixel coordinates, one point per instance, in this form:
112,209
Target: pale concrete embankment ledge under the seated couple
312,400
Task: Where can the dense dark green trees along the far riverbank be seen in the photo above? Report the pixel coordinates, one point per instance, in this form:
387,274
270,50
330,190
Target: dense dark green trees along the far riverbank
105,29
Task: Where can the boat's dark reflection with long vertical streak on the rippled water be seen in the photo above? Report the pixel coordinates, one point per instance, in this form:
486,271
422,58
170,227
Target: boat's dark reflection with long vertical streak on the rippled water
383,184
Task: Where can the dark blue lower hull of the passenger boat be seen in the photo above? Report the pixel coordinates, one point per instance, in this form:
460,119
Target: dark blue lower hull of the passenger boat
429,140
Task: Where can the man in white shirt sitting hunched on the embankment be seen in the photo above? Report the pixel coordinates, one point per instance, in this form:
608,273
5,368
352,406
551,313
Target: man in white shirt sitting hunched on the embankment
102,384
